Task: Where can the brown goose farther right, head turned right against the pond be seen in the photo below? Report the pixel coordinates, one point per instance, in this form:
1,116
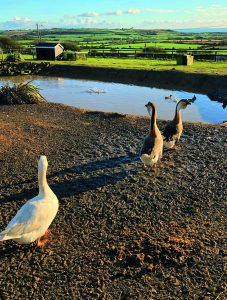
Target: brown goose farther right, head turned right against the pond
173,130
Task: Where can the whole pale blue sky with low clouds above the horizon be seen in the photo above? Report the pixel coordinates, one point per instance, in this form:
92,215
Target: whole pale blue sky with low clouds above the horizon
24,14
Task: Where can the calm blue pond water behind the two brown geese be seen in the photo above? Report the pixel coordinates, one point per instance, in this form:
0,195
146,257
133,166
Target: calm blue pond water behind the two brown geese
123,98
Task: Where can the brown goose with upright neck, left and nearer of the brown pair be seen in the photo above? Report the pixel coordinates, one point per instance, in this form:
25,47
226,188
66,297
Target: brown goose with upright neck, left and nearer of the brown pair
152,147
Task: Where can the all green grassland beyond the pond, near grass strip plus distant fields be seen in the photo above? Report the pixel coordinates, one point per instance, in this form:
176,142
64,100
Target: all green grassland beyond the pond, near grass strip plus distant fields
129,40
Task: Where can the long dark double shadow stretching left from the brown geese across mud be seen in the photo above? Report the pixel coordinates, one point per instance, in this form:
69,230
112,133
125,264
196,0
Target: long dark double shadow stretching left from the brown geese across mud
82,178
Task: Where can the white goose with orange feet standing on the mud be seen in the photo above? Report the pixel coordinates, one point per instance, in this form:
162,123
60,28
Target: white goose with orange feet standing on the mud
32,221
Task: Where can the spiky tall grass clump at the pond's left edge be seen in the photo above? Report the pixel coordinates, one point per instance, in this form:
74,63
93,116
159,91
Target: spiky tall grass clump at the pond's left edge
22,93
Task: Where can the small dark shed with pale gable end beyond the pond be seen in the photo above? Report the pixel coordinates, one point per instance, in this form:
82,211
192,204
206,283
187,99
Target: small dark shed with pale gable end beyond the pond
48,51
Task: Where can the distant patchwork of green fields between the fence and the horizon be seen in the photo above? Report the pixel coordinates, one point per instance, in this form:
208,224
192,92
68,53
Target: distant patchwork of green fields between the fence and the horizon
120,38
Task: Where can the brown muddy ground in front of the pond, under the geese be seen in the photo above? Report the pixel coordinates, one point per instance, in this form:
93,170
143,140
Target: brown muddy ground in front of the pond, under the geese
121,232
